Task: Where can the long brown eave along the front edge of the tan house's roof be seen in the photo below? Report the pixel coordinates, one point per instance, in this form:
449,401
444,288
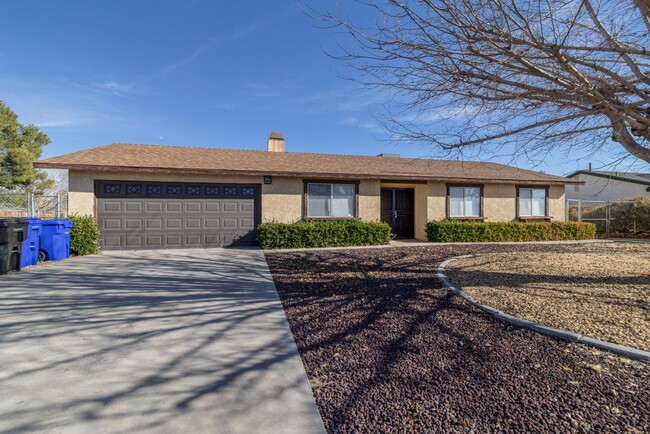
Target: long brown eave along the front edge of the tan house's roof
295,174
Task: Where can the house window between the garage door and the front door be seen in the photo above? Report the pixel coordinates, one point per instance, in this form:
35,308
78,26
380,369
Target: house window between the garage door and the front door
331,200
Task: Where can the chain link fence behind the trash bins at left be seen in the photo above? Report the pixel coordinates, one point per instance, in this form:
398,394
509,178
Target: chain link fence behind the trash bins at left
31,205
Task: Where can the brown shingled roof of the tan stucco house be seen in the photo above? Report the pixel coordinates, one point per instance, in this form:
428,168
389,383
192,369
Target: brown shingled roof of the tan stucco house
178,159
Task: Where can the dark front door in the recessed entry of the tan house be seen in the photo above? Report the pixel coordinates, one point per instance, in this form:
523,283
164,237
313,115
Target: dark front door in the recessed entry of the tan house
397,206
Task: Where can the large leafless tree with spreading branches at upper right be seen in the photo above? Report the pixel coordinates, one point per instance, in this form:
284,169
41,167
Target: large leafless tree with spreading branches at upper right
536,74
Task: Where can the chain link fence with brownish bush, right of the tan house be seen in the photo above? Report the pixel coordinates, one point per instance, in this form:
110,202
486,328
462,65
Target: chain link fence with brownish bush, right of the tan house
613,219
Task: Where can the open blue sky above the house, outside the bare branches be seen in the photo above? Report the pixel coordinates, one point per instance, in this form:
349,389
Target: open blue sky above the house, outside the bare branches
190,73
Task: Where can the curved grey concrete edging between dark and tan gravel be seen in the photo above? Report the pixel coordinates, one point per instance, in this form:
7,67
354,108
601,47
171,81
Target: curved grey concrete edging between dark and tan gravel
630,352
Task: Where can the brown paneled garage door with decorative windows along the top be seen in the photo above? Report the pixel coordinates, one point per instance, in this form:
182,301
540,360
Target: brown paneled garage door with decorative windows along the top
155,215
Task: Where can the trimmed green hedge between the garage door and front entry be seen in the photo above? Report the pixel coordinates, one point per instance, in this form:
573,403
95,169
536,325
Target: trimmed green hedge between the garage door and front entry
322,233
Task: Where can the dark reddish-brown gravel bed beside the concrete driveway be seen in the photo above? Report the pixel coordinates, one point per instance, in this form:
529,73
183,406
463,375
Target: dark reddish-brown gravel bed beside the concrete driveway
387,349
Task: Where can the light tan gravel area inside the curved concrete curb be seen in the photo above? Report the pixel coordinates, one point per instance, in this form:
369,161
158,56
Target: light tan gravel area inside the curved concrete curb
603,293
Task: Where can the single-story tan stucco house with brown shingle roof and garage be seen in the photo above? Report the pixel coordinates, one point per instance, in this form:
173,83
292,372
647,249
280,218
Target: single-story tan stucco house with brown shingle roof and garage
147,196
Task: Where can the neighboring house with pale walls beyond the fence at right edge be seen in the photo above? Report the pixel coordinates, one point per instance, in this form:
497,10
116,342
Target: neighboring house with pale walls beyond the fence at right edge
608,186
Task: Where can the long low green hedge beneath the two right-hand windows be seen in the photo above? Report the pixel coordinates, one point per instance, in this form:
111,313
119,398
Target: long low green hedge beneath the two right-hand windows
449,231
